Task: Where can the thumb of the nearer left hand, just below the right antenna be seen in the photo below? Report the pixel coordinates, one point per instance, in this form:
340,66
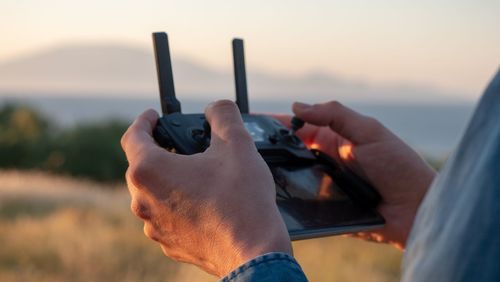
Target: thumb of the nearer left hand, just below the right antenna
226,124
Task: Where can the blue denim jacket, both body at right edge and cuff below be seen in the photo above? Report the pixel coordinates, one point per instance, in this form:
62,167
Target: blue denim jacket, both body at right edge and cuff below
456,234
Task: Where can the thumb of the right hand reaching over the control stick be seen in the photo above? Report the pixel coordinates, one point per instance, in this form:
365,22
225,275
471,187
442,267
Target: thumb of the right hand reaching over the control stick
351,125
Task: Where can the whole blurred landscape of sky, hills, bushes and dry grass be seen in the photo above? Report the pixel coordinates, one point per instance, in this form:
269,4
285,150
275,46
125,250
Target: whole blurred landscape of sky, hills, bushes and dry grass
73,75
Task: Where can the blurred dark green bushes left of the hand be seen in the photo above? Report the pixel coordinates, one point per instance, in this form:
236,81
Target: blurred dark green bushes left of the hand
28,140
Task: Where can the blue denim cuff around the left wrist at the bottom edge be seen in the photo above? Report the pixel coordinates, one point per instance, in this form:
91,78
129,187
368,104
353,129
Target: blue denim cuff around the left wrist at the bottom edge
267,268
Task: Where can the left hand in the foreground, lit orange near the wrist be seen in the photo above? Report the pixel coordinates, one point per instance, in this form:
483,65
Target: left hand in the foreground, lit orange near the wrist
215,209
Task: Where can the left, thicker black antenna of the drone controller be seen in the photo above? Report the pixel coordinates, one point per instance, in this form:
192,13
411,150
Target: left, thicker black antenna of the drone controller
169,104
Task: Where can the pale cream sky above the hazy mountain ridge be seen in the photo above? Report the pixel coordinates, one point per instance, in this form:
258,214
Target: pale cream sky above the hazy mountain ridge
451,45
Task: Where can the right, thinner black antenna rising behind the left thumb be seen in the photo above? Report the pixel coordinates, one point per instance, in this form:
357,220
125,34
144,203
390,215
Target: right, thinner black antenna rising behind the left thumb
240,76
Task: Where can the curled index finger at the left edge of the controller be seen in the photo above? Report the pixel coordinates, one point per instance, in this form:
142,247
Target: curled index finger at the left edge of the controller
140,134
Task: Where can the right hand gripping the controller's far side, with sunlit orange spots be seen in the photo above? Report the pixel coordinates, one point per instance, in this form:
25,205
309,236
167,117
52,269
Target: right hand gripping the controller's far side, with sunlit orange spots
364,145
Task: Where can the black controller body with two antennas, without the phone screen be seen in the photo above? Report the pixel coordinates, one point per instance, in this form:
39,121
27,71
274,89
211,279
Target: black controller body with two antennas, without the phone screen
279,146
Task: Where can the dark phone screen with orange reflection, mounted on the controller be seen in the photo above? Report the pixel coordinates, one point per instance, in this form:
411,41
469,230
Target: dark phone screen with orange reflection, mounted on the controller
309,198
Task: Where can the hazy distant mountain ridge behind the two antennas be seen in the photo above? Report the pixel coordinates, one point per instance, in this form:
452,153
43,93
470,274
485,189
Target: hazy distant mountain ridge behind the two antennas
111,70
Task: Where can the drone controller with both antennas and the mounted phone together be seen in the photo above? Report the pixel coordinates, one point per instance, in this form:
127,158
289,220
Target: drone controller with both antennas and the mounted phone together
315,195
